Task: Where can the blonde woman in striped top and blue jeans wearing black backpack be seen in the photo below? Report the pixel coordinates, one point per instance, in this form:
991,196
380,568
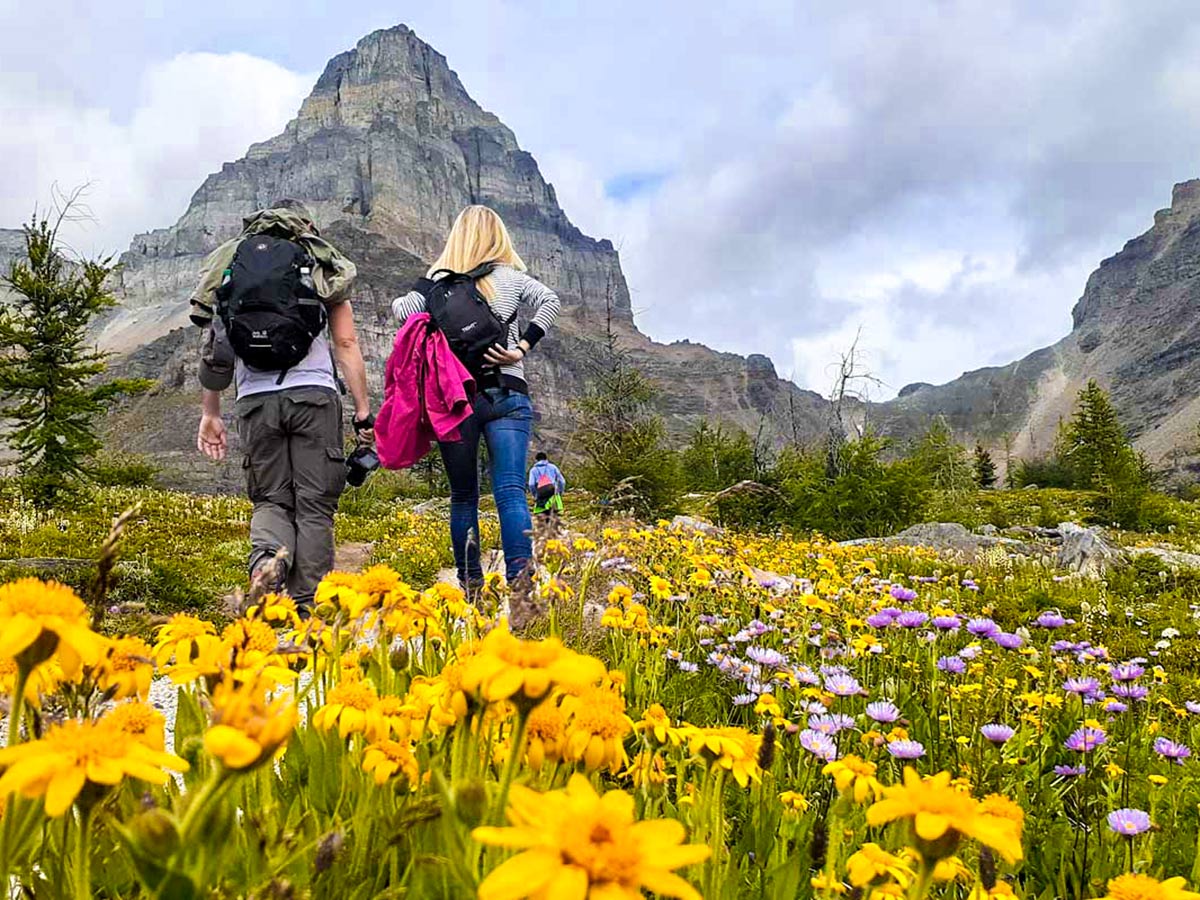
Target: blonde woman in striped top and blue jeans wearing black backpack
478,285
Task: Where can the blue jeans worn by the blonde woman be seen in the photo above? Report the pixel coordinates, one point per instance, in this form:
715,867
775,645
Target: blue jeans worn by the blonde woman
505,419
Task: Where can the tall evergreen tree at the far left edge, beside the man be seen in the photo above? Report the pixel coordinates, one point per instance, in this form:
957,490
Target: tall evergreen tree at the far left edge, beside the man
49,370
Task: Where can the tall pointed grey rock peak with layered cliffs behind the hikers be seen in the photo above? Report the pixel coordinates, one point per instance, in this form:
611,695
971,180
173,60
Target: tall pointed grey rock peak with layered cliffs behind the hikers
387,151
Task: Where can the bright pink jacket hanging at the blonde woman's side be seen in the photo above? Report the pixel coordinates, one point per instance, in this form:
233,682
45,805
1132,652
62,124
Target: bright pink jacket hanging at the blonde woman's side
427,395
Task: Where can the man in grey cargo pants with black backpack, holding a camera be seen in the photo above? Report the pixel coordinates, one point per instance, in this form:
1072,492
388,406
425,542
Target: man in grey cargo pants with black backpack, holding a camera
274,304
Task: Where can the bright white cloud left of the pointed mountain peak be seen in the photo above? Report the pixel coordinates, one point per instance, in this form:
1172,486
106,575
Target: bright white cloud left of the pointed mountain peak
193,113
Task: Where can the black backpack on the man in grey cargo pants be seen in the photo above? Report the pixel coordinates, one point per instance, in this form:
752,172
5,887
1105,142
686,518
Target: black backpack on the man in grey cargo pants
269,305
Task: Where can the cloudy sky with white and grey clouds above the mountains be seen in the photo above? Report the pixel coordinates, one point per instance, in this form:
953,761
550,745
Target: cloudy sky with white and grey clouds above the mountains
779,177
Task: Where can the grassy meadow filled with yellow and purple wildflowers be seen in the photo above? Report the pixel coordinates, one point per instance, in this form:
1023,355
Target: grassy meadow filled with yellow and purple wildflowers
722,716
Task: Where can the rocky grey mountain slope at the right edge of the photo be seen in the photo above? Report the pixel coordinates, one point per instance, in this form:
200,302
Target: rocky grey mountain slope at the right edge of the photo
1137,332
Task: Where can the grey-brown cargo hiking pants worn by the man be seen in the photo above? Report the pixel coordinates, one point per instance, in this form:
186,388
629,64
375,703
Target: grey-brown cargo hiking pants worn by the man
296,472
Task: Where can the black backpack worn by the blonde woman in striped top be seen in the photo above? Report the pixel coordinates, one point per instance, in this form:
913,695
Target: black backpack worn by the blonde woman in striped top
463,314
